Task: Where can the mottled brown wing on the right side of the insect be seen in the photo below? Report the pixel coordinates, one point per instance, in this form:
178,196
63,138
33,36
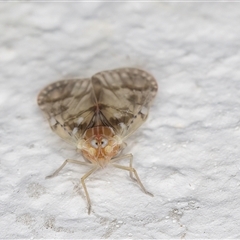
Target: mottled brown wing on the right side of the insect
124,97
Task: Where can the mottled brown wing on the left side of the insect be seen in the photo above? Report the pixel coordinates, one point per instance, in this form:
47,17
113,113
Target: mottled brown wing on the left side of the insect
68,106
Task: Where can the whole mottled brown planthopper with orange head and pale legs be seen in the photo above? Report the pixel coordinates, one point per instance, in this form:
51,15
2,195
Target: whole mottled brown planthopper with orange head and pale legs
98,114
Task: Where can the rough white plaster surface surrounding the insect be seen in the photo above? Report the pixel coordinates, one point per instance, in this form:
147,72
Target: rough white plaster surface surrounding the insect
187,153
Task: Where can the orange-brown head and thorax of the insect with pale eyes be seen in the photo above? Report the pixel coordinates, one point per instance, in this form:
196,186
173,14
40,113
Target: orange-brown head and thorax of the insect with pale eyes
99,145
